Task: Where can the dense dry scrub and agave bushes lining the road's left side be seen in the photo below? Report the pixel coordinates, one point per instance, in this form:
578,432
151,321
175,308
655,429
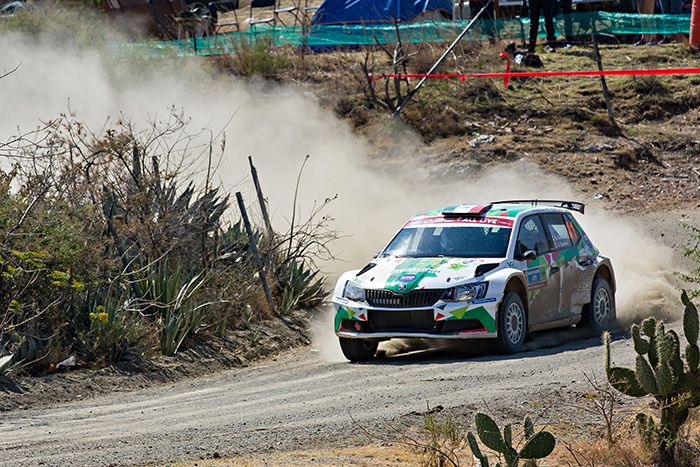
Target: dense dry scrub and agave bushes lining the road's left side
108,246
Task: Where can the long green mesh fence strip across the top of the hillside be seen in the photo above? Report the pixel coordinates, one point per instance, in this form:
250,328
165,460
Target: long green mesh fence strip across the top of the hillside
331,36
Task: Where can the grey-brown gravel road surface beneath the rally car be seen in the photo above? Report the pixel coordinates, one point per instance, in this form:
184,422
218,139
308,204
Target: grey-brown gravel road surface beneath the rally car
297,400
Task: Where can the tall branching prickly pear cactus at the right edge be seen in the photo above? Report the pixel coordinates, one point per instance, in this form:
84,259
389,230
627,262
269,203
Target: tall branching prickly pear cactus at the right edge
661,373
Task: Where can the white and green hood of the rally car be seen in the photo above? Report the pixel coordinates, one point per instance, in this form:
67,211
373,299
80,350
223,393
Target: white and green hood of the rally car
403,275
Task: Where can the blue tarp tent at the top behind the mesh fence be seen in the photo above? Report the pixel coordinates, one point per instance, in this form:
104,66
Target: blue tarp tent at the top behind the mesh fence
376,11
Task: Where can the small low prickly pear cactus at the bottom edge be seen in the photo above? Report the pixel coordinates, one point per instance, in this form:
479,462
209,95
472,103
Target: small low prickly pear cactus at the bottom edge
535,445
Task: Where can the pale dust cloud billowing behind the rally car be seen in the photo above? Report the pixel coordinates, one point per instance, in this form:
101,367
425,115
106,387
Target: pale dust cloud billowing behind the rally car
279,125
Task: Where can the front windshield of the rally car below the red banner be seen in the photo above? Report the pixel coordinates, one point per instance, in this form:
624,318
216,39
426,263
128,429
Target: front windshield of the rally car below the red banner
453,241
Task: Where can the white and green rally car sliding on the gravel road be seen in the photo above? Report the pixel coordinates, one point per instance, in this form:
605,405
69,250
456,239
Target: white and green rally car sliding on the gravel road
496,271
